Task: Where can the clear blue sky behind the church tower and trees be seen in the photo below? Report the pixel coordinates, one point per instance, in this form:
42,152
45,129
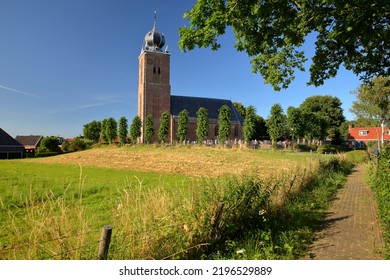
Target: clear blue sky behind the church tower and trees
64,63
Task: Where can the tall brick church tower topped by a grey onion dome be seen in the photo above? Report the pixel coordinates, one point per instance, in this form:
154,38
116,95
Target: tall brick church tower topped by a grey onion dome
154,89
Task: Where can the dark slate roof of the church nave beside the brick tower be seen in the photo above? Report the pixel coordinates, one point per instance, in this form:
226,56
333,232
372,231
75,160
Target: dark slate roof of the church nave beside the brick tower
212,105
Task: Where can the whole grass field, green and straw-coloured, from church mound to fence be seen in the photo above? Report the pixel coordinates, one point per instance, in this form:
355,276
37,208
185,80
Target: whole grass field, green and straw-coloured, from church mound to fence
160,201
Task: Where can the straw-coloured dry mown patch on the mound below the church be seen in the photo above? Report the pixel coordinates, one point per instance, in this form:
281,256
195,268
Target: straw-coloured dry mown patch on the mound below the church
188,161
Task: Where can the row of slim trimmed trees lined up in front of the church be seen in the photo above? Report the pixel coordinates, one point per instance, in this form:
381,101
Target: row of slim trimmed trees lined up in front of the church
109,130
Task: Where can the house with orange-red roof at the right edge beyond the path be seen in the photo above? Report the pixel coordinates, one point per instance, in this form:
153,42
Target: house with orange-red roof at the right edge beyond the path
360,137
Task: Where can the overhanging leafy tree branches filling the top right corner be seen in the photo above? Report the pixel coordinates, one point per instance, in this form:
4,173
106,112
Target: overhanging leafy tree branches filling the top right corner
355,34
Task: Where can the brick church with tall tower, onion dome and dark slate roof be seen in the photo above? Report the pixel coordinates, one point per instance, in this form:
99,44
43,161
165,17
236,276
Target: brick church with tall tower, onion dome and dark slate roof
154,95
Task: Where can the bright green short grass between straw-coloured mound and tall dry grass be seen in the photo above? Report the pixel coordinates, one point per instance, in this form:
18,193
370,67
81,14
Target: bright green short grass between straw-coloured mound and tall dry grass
24,179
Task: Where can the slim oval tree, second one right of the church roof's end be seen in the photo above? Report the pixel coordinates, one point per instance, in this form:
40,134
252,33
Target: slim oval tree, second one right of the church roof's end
276,123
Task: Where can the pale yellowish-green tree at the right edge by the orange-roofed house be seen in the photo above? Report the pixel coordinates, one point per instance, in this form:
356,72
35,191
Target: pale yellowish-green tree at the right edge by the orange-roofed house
373,103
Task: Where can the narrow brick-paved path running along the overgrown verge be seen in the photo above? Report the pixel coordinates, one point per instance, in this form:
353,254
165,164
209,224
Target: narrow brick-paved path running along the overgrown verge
351,230
